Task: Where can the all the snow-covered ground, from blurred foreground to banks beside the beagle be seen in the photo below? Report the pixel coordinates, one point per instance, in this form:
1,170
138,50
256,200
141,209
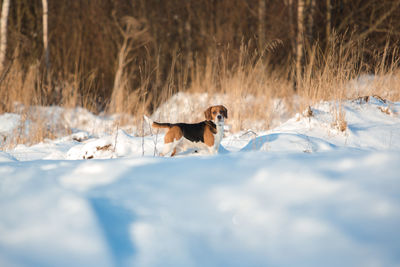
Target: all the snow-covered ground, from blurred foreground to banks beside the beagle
301,194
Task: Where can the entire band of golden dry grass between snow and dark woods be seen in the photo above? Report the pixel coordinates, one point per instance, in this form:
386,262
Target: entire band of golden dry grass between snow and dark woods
251,88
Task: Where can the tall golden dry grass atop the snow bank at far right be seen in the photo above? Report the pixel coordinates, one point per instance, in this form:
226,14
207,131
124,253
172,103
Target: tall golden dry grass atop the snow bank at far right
335,75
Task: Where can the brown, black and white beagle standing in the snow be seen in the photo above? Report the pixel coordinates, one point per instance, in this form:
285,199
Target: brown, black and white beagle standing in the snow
205,135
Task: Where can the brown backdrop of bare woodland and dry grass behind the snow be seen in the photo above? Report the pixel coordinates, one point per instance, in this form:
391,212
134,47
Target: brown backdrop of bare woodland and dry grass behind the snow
130,56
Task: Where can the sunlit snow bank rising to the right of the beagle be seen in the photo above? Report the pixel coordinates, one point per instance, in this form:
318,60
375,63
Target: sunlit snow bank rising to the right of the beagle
372,124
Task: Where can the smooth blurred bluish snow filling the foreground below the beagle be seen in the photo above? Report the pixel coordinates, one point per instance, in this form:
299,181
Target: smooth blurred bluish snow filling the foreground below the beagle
240,209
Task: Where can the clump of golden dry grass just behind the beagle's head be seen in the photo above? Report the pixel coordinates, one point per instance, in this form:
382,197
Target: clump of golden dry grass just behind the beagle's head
250,88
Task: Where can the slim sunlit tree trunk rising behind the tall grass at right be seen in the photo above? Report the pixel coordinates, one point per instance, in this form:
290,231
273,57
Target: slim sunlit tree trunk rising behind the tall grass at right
299,42
